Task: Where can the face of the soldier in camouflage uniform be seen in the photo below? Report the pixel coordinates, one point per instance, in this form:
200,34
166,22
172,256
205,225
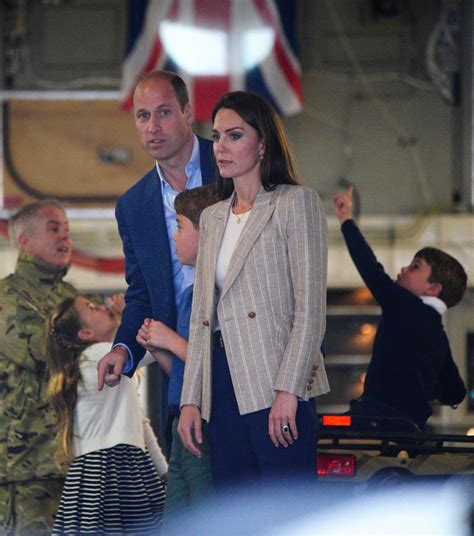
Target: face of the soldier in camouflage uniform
49,240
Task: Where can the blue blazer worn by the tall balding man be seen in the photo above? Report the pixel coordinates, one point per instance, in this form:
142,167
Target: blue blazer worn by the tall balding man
148,272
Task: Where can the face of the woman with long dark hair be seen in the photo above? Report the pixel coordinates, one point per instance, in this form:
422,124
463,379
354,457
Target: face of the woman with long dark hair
237,147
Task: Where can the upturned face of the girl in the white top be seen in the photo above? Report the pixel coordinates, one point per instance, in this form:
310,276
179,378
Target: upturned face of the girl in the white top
97,321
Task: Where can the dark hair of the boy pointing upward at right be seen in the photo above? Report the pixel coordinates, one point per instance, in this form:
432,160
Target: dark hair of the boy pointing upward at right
447,271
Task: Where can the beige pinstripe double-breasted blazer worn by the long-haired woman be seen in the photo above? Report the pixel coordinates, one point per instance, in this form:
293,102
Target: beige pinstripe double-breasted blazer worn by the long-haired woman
272,308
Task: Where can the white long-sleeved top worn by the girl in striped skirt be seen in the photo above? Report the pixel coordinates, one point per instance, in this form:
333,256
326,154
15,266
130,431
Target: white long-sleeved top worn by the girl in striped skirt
103,419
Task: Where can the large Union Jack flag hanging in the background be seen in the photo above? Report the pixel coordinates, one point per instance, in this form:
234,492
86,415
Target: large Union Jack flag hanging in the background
217,46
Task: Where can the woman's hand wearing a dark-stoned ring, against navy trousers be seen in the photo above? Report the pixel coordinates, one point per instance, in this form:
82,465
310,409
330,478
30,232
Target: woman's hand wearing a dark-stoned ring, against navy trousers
282,419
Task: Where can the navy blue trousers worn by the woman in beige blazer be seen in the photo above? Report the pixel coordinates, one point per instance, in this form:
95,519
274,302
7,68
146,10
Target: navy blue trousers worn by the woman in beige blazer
240,448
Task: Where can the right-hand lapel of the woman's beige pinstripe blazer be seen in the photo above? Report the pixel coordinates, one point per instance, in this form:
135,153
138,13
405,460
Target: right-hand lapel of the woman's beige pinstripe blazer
261,213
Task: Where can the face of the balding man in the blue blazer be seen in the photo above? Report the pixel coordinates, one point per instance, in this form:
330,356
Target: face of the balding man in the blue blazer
163,128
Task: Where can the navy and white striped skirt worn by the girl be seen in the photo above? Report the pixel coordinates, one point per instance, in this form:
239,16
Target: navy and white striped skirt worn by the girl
111,491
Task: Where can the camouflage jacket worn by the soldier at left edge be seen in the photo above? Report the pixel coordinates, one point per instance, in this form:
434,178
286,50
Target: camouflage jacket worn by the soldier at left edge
27,422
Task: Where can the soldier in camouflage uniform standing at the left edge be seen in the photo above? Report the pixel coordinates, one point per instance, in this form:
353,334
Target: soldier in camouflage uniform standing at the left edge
30,481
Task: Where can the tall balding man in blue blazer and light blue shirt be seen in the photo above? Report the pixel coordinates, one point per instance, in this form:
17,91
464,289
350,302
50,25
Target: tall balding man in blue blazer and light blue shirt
146,217
